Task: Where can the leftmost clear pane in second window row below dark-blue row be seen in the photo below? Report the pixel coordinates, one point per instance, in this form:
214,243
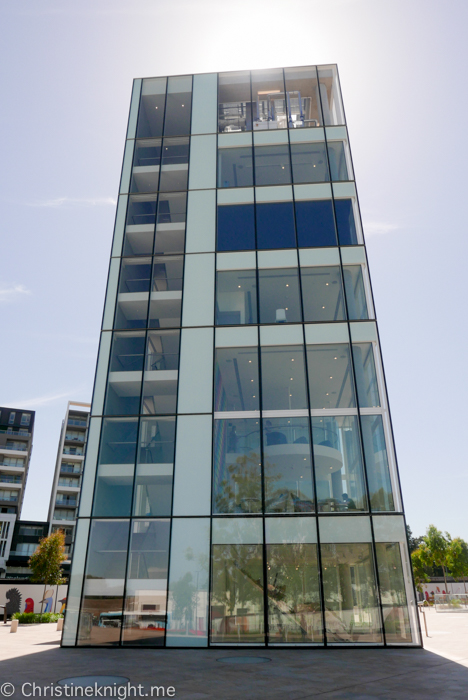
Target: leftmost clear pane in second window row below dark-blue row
236,379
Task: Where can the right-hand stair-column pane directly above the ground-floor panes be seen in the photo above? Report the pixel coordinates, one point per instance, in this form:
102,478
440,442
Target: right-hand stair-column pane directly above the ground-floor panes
155,465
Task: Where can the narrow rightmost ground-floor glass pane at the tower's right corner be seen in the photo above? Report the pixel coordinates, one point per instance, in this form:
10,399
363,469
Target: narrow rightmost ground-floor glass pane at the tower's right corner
392,593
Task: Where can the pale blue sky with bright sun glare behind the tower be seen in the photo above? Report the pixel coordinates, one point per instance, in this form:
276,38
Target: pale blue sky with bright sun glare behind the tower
67,71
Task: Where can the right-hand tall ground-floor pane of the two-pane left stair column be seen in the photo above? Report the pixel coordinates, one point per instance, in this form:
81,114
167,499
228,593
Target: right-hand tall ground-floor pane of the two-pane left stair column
146,589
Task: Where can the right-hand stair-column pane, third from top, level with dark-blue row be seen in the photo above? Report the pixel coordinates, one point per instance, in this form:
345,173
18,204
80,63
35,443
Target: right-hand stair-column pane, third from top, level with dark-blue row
170,223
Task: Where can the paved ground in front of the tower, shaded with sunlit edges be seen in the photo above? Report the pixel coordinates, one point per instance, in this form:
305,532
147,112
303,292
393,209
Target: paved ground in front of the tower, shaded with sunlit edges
439,671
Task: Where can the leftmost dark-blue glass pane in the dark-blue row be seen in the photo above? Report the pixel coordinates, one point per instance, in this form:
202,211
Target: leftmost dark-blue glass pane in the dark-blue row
236,227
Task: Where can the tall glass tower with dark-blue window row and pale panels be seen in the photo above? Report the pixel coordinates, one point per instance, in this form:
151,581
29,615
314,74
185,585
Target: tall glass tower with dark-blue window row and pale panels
240,483
